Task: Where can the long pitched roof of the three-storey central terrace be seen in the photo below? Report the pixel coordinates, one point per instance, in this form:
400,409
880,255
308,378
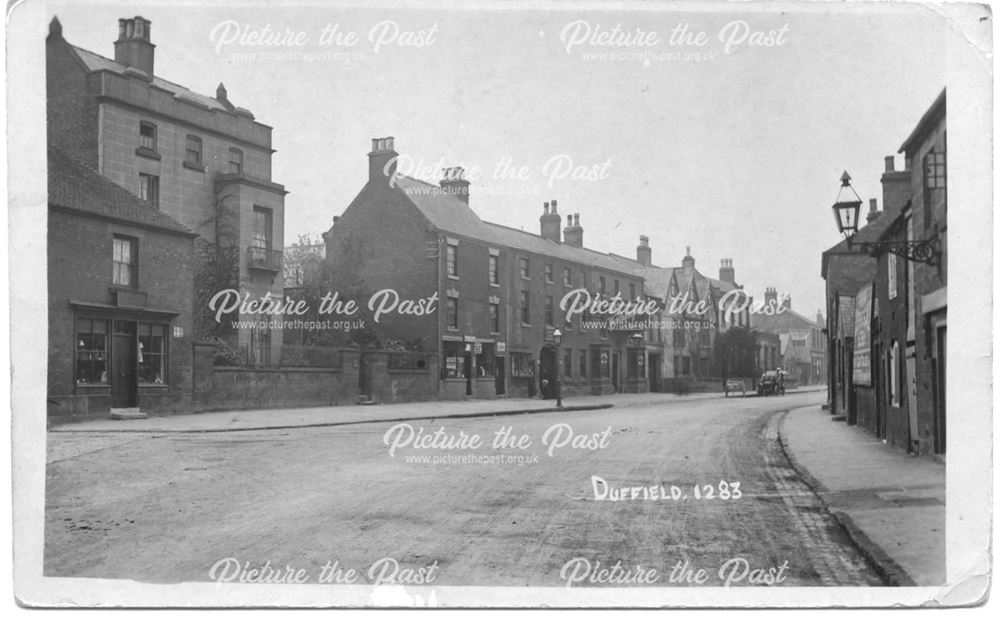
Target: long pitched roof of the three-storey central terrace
449,214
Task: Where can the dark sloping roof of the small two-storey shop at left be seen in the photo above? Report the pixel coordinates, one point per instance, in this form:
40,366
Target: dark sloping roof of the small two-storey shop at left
73,185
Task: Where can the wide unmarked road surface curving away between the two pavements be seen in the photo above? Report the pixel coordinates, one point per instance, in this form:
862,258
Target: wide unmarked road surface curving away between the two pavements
168,508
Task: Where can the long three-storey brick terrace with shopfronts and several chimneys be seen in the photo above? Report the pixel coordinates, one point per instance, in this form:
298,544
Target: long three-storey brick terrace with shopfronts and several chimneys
493,292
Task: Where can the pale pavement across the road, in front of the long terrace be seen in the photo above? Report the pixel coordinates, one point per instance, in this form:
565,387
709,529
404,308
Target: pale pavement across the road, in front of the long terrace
329,416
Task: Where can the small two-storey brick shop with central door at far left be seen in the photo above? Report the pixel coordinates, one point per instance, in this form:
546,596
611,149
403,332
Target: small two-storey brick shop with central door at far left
119,289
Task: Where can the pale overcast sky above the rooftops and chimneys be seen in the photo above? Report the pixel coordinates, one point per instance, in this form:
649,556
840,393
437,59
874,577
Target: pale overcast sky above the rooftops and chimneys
736,153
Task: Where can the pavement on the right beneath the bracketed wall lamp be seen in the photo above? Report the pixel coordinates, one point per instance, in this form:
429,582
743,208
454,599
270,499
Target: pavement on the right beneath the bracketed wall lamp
891,504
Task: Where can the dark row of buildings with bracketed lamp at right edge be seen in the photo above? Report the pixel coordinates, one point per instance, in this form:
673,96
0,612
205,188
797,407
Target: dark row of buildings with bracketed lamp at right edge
898,394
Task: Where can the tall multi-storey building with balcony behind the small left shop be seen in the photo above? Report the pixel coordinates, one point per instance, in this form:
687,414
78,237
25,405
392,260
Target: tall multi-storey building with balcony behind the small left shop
201,160
